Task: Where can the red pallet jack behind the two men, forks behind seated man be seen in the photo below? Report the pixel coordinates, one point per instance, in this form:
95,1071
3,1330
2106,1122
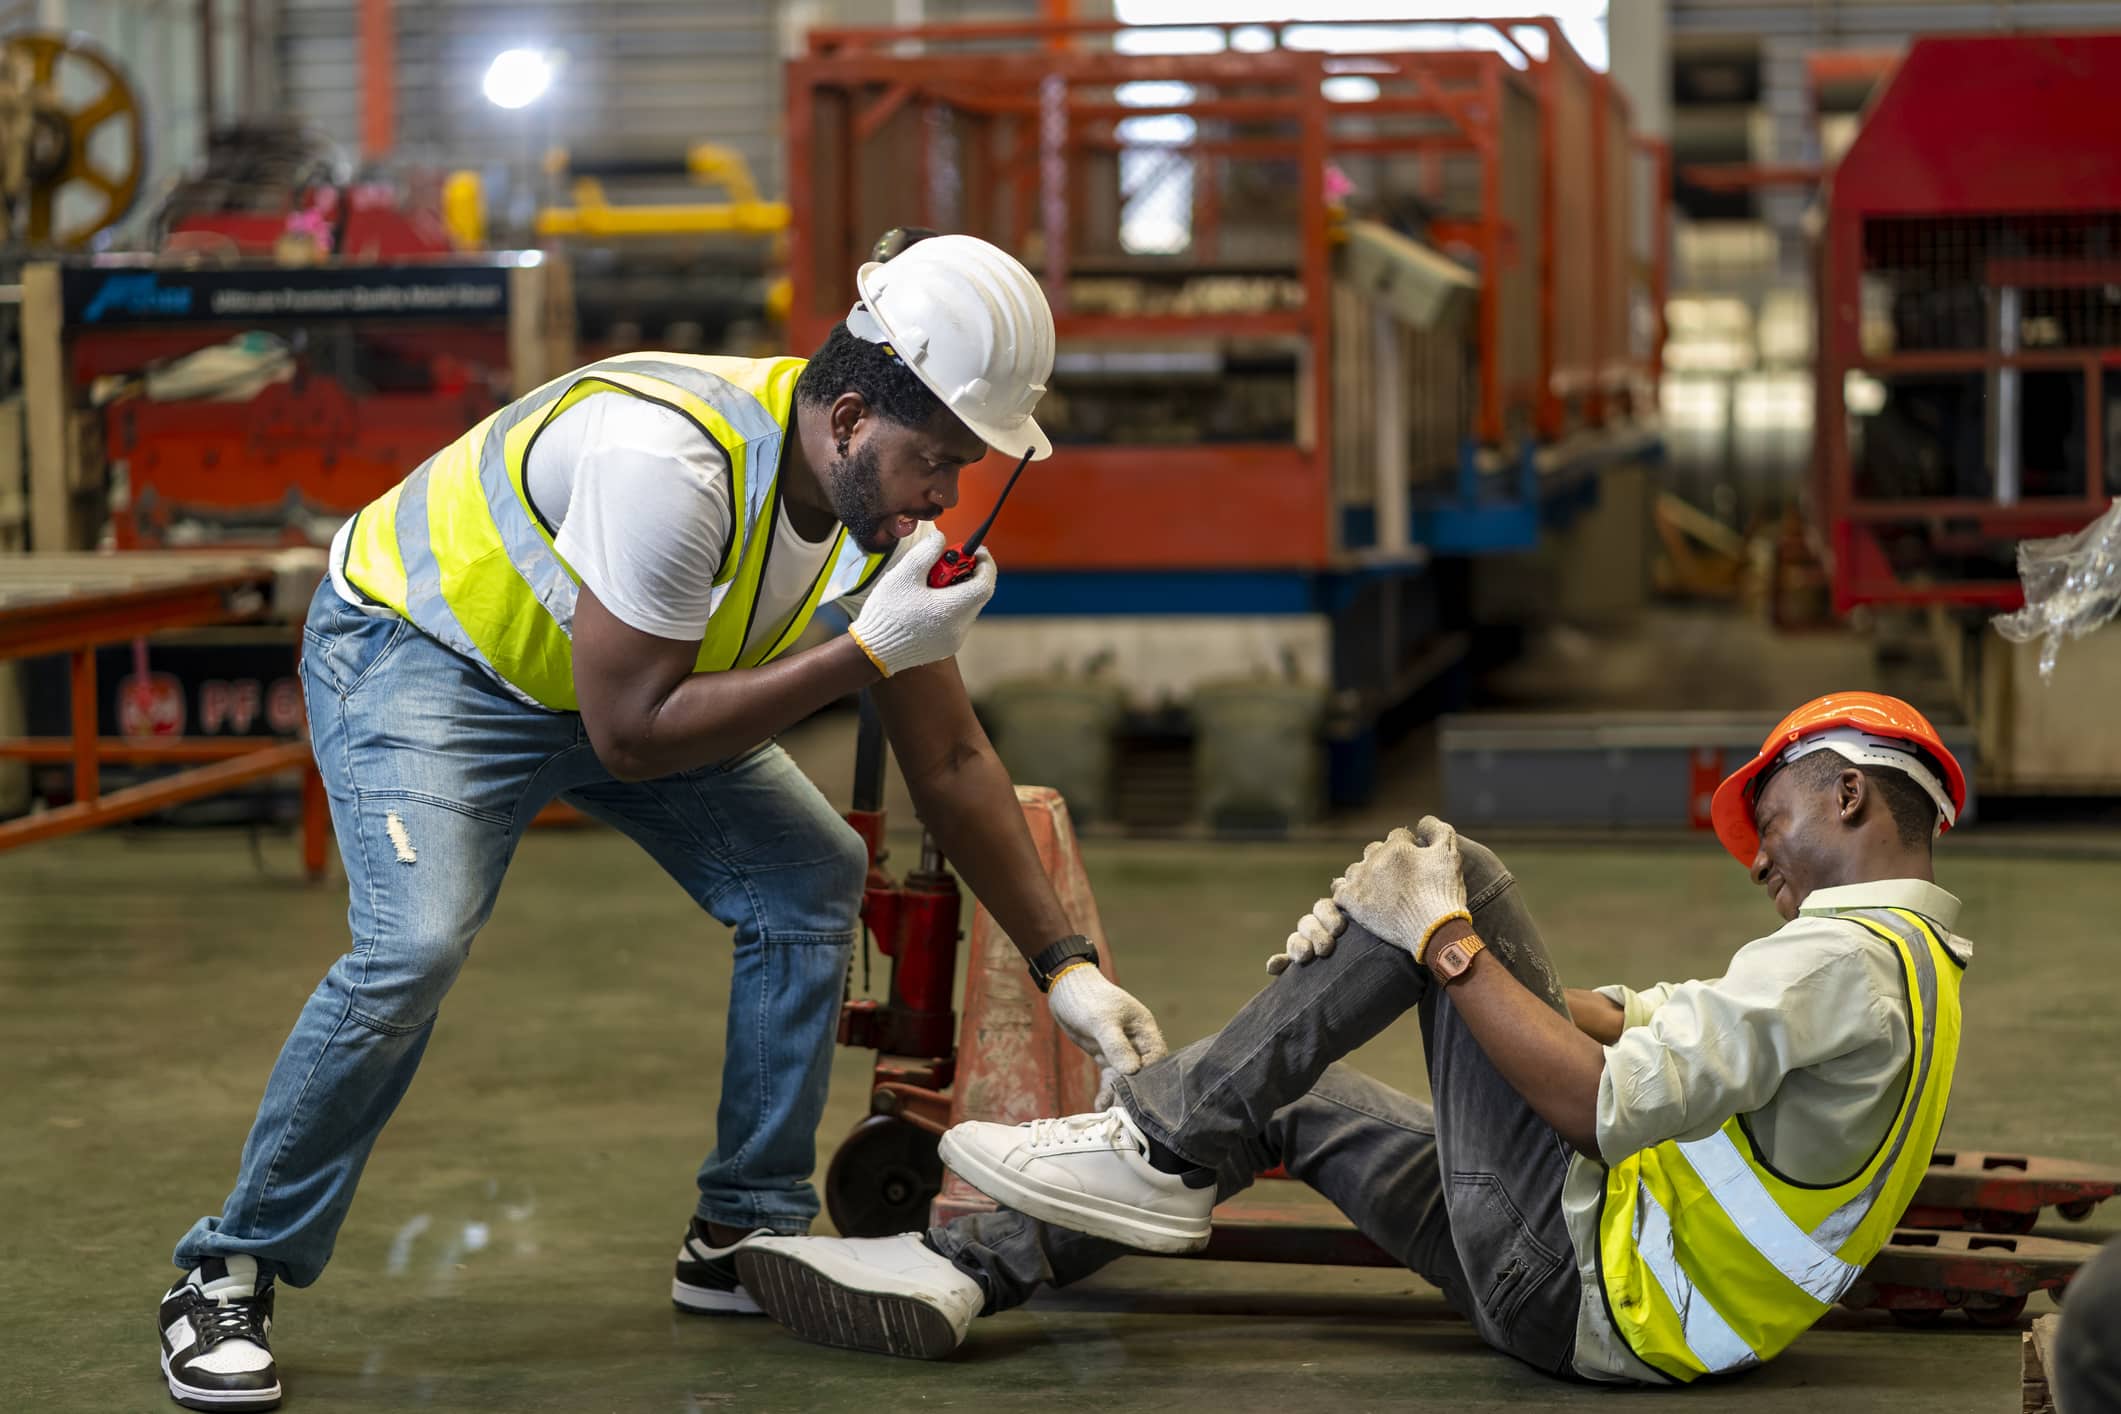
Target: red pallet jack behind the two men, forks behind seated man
1963,1245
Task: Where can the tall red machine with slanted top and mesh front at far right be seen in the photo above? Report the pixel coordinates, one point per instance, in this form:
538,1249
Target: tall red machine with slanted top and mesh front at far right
1967,319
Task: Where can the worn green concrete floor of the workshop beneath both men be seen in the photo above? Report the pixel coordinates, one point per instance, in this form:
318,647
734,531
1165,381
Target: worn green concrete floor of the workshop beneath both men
512,1241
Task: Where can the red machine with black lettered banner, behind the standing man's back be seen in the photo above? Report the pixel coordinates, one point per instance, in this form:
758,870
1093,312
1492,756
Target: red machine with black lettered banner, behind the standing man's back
393,342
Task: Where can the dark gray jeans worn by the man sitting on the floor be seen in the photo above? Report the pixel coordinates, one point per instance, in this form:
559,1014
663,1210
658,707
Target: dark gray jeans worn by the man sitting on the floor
1465,1192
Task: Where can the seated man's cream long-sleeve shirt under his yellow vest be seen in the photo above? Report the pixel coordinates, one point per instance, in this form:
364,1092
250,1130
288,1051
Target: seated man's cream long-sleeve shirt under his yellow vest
1806,1036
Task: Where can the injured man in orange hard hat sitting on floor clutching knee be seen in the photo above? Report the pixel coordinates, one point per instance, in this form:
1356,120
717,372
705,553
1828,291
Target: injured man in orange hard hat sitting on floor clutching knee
1613,1186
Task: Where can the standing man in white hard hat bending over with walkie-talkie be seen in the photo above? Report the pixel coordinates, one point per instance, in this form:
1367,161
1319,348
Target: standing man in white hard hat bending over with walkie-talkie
595,597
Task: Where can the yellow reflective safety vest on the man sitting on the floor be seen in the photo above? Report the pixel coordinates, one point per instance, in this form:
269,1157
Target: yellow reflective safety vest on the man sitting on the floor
1715,1262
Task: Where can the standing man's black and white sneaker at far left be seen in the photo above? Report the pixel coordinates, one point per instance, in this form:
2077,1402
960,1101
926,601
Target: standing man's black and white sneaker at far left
217,1339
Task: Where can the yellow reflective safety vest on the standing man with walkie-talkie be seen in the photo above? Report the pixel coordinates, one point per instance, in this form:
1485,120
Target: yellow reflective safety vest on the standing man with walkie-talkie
463,552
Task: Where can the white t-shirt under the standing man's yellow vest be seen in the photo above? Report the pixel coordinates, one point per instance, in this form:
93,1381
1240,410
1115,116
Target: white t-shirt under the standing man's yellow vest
650,523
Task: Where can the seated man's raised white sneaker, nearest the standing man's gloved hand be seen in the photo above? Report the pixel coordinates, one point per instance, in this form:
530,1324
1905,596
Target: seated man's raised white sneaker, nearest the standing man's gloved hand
1085,1173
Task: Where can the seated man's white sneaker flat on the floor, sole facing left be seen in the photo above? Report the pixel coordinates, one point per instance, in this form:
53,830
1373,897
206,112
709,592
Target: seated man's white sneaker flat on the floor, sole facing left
888,1296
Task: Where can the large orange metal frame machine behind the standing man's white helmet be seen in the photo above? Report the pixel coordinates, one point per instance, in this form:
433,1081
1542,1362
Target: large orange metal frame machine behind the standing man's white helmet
1013,132
